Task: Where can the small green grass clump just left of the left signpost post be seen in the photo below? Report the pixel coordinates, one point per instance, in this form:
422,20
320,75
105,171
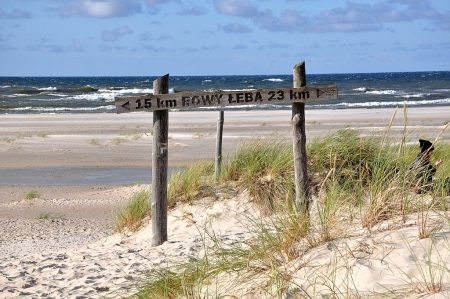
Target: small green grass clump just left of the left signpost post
131,215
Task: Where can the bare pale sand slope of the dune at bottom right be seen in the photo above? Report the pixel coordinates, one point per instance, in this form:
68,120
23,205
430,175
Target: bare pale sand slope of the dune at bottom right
373,264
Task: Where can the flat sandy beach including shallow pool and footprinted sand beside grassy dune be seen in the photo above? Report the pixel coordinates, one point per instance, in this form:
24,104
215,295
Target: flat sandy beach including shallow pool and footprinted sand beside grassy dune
84,166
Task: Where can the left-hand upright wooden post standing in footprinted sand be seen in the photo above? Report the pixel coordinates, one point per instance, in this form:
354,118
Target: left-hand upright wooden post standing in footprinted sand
159,166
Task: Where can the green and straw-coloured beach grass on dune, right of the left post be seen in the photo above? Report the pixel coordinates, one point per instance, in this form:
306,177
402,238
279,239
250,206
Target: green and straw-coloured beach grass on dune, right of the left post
352,179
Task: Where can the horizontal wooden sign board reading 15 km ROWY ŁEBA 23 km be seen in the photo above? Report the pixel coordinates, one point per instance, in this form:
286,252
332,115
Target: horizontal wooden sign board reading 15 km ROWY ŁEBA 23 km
193,100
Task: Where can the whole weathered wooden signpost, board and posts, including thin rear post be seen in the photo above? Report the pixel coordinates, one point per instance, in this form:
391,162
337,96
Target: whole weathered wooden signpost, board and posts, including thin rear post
160,102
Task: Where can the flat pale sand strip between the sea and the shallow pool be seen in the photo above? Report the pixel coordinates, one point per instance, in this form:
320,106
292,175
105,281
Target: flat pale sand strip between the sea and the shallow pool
107,140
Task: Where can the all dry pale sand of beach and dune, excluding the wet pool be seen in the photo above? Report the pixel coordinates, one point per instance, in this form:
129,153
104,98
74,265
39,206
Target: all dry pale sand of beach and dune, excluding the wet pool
74,256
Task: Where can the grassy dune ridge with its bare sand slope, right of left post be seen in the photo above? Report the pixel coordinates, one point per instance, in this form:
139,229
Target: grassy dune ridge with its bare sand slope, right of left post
360,186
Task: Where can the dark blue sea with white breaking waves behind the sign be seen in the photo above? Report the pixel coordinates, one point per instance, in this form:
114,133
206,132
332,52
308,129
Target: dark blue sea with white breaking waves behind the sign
22,95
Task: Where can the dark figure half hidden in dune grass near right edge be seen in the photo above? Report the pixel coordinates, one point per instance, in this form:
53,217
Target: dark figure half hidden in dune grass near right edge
422,169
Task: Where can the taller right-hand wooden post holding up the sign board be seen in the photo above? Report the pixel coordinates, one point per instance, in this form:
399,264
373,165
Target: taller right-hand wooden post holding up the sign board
299,143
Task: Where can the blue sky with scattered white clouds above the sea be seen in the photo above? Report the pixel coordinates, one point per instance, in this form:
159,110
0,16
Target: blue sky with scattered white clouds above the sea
221,37
